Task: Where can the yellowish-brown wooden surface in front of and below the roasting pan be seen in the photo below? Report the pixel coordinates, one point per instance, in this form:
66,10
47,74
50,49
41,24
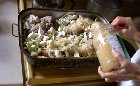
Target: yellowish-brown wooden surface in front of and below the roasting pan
62,77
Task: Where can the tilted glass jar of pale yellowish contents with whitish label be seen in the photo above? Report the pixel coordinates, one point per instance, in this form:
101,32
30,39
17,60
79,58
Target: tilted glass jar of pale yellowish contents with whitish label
105,40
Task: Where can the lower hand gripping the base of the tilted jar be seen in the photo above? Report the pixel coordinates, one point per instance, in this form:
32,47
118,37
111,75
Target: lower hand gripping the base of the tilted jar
127,70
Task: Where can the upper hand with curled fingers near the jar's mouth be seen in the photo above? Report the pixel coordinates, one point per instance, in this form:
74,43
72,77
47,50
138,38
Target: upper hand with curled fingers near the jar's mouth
126,26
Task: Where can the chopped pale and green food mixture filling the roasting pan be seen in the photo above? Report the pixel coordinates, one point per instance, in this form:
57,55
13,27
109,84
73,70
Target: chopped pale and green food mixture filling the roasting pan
71,38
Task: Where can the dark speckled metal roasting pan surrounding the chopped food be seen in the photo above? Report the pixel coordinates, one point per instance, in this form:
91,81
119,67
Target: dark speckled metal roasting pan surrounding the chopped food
63,62
